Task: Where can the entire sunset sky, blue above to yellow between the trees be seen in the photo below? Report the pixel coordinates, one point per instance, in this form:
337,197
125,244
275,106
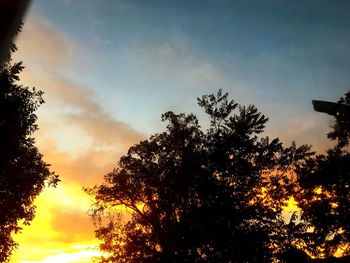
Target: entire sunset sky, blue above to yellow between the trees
109,69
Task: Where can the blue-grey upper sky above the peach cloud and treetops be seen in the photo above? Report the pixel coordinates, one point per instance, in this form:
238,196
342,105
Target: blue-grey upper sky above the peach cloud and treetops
145,57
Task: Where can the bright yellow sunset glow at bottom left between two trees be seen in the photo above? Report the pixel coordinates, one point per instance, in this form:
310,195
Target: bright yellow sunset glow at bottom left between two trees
61,231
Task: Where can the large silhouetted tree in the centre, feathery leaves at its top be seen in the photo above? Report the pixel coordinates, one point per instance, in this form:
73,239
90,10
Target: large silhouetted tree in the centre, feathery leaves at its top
185,195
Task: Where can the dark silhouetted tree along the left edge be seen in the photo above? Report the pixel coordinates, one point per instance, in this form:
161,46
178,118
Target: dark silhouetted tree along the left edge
23,173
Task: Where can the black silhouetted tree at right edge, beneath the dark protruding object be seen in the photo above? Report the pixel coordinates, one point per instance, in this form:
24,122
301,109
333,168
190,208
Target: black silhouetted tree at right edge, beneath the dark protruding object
324,195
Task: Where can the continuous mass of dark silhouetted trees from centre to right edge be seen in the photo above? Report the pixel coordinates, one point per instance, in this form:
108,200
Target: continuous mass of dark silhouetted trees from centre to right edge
188,195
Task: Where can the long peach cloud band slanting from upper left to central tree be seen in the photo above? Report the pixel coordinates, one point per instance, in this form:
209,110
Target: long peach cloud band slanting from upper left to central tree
47,53
